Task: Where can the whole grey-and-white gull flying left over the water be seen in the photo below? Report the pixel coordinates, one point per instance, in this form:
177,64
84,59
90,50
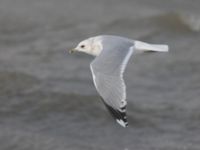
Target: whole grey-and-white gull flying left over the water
112,54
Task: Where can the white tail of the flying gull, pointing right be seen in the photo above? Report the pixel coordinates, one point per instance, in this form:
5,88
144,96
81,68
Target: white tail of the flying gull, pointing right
145,47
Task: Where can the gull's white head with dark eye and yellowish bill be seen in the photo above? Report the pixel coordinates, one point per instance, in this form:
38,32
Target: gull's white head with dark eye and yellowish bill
90,46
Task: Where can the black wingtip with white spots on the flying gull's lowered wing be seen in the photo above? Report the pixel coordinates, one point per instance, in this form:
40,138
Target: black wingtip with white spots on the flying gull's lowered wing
119,116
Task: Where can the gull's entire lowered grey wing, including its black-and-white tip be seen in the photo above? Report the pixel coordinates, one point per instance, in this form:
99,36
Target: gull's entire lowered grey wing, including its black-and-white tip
107,70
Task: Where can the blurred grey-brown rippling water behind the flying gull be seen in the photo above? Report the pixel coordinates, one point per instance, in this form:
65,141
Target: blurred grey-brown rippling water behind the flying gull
47,97
